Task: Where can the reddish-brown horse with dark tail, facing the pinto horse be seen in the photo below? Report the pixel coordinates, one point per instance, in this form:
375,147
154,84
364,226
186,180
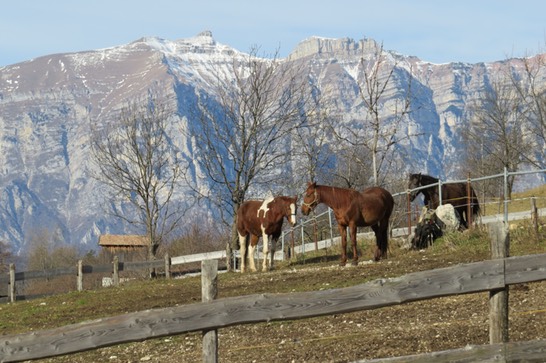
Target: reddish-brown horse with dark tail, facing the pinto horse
372,207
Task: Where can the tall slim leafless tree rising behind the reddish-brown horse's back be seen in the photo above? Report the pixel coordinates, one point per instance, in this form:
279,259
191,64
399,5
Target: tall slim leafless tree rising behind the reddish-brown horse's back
385,113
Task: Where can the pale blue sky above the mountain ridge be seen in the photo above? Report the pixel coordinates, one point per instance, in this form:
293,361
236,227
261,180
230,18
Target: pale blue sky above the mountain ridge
433,30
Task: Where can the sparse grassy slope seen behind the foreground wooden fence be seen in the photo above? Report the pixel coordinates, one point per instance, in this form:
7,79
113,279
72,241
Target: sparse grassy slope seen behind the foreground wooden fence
439,324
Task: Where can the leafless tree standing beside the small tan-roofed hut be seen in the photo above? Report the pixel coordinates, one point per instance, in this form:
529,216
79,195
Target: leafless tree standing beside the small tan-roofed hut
134,159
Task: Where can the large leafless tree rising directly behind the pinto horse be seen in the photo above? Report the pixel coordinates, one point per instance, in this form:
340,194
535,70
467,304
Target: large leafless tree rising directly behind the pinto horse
243,142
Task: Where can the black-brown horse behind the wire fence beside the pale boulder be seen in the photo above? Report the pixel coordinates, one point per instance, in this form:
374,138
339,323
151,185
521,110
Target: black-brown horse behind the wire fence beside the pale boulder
455,194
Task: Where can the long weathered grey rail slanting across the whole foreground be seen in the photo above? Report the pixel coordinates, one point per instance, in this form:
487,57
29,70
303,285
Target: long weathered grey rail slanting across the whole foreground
462,279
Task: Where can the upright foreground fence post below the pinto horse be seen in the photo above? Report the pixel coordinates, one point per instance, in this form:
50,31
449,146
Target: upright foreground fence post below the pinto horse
209,292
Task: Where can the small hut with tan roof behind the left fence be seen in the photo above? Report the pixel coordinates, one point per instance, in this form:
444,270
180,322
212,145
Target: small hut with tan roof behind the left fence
128,248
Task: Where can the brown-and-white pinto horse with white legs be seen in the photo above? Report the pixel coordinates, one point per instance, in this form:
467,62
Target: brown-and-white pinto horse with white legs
263,218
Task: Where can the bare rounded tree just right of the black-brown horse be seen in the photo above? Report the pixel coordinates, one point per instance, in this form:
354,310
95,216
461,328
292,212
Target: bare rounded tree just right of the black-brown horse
495,138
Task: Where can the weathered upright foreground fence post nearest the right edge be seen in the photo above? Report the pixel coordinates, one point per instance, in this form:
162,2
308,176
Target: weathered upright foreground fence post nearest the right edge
498,299
